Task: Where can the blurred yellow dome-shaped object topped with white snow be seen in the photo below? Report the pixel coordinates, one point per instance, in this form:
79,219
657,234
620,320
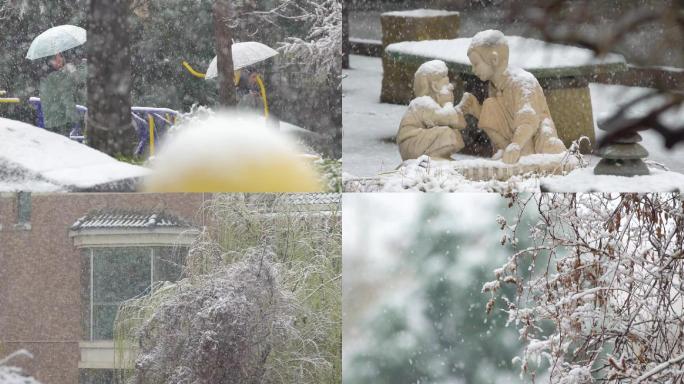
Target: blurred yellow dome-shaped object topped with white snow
231,153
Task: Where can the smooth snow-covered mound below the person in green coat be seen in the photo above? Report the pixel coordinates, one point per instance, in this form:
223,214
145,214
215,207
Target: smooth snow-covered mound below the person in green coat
37,160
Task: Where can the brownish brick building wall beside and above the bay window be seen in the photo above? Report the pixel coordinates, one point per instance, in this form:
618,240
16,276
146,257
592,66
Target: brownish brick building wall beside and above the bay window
40,275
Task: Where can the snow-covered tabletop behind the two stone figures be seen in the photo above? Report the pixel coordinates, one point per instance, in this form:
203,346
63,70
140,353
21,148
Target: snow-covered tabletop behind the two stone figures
539,57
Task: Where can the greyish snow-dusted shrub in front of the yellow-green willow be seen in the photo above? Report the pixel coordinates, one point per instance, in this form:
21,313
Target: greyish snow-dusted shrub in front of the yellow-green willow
218,327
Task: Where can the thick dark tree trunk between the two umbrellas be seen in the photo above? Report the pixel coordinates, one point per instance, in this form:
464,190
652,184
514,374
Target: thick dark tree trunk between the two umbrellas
109,124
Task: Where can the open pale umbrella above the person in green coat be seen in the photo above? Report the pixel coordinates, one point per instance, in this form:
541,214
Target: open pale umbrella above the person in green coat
55,40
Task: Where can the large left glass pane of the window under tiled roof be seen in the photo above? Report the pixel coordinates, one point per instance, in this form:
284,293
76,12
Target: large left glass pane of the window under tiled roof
118,274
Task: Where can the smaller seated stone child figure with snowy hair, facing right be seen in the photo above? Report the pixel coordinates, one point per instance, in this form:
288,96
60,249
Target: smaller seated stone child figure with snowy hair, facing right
431,124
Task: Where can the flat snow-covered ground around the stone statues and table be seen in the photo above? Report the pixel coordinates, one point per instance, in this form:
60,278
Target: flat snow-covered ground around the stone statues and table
370,126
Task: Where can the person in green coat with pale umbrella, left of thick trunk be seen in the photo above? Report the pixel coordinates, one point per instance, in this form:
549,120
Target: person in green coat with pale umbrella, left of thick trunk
64,84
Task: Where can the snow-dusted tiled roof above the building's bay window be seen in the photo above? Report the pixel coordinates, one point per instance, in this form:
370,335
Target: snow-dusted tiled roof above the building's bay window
128,220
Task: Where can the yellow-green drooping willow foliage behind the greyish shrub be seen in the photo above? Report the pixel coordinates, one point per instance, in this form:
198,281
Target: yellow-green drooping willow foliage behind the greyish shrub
309,245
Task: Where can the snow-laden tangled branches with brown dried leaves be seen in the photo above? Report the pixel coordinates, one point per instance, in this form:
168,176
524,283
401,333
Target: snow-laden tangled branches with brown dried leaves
600,293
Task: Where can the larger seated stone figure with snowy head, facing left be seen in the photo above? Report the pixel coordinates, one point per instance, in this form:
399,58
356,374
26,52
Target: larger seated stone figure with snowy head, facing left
515,115
